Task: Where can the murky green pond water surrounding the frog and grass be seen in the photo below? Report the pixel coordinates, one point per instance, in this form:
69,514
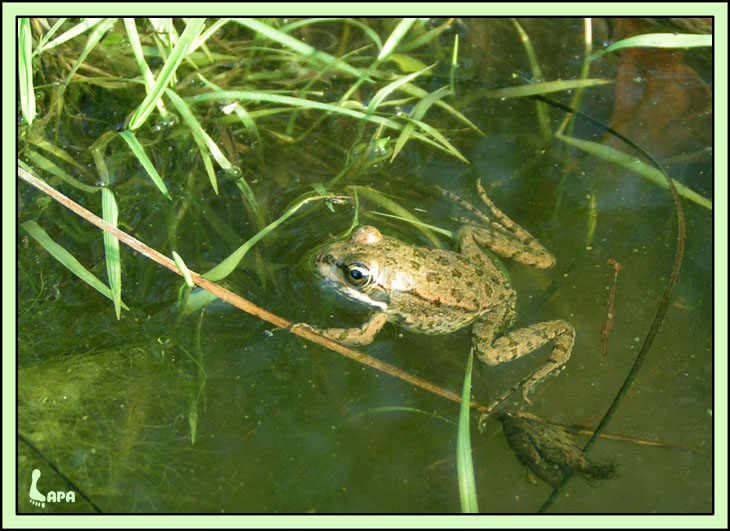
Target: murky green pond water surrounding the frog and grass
221,412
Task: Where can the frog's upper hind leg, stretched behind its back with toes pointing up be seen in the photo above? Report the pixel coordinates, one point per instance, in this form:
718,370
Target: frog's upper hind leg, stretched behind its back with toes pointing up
502,235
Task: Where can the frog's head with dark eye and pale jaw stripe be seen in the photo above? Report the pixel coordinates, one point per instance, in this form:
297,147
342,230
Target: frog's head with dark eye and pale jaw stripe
352,268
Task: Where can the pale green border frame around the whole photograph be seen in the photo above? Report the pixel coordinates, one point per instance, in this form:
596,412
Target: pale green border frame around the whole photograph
552,9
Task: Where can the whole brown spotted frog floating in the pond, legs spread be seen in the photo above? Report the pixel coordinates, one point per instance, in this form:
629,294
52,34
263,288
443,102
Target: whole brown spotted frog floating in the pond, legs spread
439,291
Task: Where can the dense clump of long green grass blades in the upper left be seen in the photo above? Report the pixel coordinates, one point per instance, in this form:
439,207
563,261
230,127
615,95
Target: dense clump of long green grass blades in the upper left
122,98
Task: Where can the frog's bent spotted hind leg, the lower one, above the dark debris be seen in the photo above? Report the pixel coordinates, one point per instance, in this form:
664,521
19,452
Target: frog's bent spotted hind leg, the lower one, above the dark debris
522,341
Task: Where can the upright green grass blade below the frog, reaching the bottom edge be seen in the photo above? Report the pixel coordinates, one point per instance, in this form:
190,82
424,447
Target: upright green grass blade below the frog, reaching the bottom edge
464,463
